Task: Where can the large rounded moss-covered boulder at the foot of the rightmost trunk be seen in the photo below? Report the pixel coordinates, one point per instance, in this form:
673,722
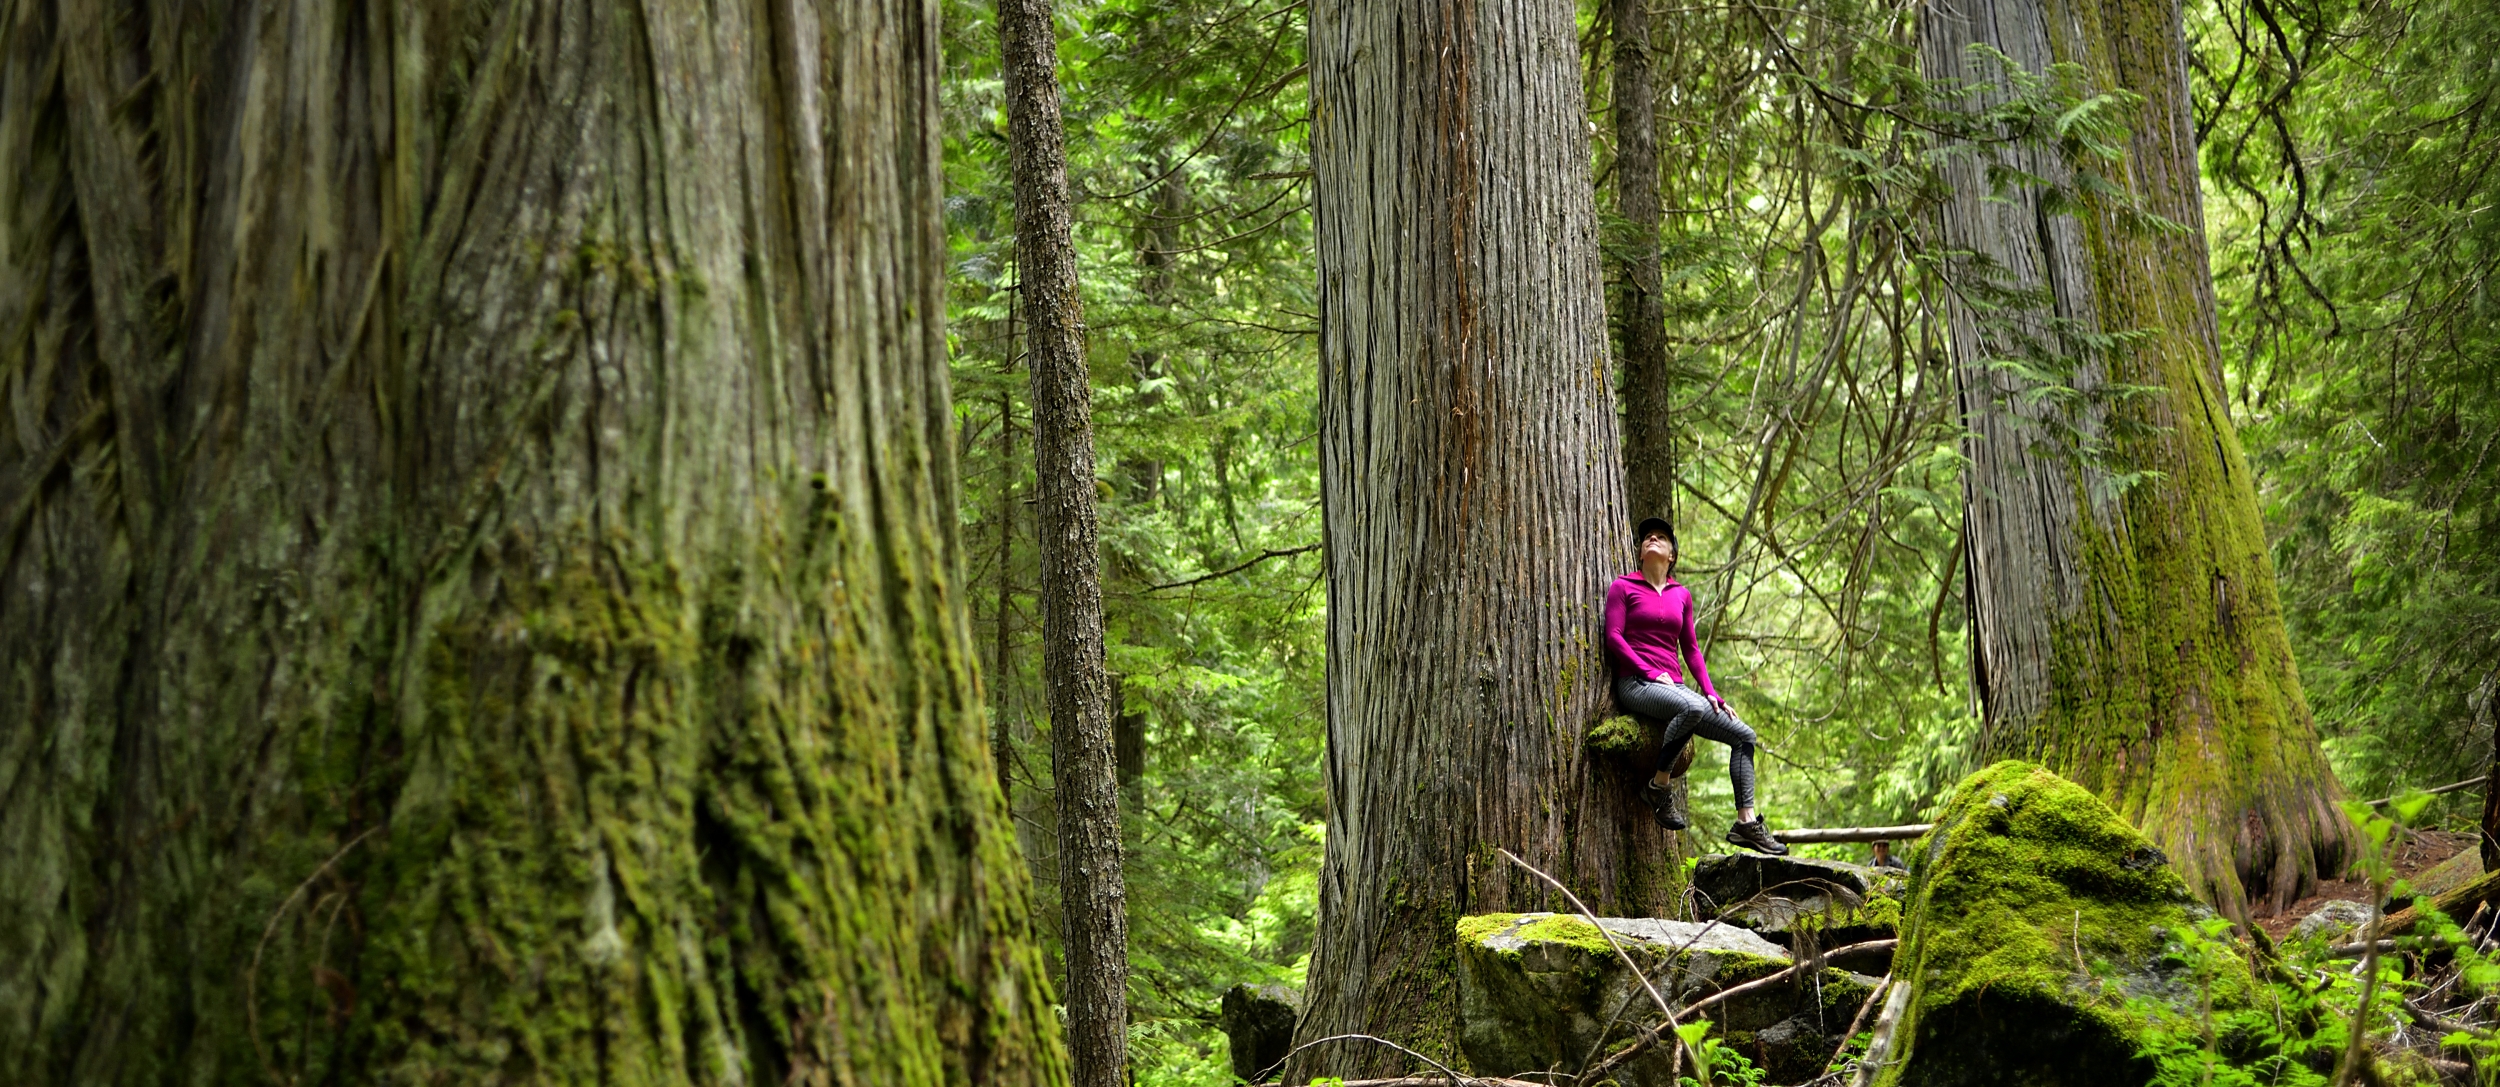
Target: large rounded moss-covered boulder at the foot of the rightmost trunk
2039,943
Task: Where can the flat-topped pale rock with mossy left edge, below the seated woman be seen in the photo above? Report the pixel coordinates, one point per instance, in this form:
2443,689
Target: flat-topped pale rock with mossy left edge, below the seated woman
1541,991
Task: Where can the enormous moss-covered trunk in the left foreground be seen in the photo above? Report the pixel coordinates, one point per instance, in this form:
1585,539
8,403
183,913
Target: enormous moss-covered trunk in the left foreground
479,596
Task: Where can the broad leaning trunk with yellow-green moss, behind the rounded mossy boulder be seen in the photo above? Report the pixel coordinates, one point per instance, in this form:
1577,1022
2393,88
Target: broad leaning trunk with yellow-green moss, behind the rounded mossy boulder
2126,618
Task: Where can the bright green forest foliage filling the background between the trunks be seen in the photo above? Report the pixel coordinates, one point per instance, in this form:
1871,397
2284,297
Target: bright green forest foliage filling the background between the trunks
2351,169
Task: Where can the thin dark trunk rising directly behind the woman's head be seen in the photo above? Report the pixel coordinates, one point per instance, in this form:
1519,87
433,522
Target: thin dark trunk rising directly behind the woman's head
1649,439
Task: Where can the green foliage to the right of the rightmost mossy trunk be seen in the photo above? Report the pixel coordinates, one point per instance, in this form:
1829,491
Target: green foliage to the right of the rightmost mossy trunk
2354,201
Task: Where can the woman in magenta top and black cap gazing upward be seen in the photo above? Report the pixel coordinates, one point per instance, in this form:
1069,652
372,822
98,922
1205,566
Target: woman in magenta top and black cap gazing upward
1649,633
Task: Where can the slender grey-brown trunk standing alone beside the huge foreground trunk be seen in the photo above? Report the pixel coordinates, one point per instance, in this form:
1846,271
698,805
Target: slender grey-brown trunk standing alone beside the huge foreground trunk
1071,593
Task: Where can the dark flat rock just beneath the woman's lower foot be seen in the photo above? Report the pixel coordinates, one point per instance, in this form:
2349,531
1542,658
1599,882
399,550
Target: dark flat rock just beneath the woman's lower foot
1779,896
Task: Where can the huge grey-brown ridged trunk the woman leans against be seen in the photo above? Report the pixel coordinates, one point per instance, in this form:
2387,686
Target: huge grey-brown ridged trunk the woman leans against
1471,501
